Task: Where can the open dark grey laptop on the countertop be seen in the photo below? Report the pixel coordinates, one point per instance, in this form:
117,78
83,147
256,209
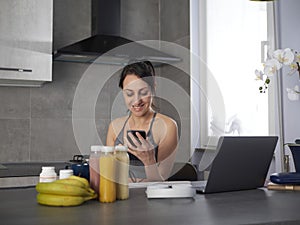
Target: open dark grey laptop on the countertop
241,163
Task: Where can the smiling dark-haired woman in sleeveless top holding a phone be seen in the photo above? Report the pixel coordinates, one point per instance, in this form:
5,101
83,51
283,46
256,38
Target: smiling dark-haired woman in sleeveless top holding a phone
155,155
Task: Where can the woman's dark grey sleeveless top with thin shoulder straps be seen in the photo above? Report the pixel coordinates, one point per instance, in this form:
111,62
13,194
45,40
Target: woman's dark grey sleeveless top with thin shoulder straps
134,161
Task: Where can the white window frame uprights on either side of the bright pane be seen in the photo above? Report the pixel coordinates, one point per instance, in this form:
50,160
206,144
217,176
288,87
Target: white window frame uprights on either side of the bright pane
199,107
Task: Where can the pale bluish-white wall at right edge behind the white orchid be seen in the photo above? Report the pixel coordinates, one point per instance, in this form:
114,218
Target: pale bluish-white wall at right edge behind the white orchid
288,31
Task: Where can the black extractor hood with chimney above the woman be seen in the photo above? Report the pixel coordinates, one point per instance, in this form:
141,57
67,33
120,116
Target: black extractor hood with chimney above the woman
106,41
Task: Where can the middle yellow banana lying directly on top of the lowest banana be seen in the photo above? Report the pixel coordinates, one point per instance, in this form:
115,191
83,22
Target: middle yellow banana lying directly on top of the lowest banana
62,189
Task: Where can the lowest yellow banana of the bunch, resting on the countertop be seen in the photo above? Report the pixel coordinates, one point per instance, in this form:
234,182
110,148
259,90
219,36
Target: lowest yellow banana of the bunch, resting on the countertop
61,200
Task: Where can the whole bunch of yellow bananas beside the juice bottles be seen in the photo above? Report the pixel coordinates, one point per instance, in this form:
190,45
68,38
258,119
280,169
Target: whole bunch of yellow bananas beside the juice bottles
71,191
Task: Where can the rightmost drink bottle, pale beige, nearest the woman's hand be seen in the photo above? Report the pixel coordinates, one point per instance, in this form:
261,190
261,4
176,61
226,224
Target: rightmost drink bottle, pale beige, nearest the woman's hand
122,172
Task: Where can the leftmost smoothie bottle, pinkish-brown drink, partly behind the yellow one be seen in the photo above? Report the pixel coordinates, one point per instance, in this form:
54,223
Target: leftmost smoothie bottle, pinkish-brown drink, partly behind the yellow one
94,167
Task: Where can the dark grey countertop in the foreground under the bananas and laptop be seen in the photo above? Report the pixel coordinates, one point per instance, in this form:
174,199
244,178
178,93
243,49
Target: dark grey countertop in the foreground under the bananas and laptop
18,206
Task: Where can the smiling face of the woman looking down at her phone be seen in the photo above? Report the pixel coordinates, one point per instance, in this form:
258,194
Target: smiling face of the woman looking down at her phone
137,95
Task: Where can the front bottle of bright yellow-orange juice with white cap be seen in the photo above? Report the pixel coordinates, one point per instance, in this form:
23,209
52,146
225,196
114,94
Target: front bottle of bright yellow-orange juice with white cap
107,189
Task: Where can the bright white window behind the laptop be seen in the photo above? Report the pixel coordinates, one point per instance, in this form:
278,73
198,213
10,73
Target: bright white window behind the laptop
226,39
